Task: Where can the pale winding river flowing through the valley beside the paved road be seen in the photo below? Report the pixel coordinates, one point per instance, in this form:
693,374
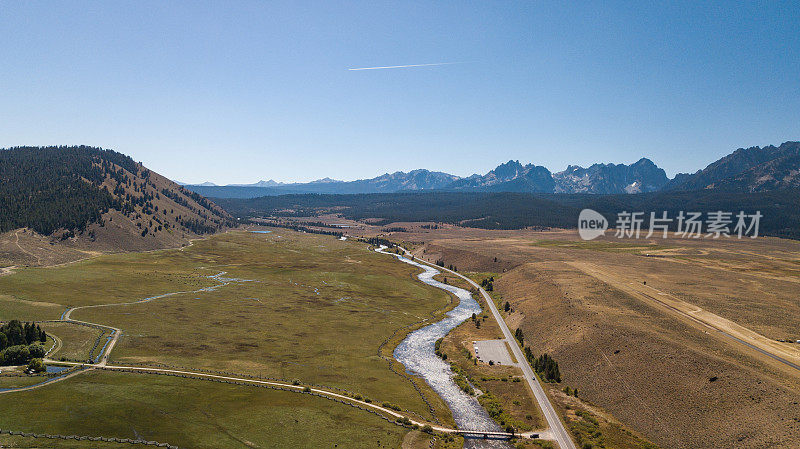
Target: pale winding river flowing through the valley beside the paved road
417,353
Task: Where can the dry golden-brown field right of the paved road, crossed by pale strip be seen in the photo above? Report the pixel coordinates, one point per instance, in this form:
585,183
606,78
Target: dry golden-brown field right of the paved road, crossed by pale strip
668,336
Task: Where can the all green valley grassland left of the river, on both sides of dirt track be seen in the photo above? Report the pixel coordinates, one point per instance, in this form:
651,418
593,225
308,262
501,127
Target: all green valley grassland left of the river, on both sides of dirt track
295,306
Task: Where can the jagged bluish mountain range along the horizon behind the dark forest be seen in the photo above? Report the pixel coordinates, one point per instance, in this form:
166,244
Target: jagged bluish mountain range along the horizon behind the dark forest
752,169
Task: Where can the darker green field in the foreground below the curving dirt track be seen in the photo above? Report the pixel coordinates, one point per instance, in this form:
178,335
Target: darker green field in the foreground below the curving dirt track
191,414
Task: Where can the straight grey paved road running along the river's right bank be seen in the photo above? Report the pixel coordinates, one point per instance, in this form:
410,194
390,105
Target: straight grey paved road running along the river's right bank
557,429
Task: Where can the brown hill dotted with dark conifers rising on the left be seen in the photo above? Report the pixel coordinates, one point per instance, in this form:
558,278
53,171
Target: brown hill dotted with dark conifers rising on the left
68,199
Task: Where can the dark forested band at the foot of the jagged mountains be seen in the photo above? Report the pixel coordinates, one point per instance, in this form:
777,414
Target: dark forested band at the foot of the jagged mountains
780,209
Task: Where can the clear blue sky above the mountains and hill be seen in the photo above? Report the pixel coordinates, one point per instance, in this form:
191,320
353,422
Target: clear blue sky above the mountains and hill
234,92
